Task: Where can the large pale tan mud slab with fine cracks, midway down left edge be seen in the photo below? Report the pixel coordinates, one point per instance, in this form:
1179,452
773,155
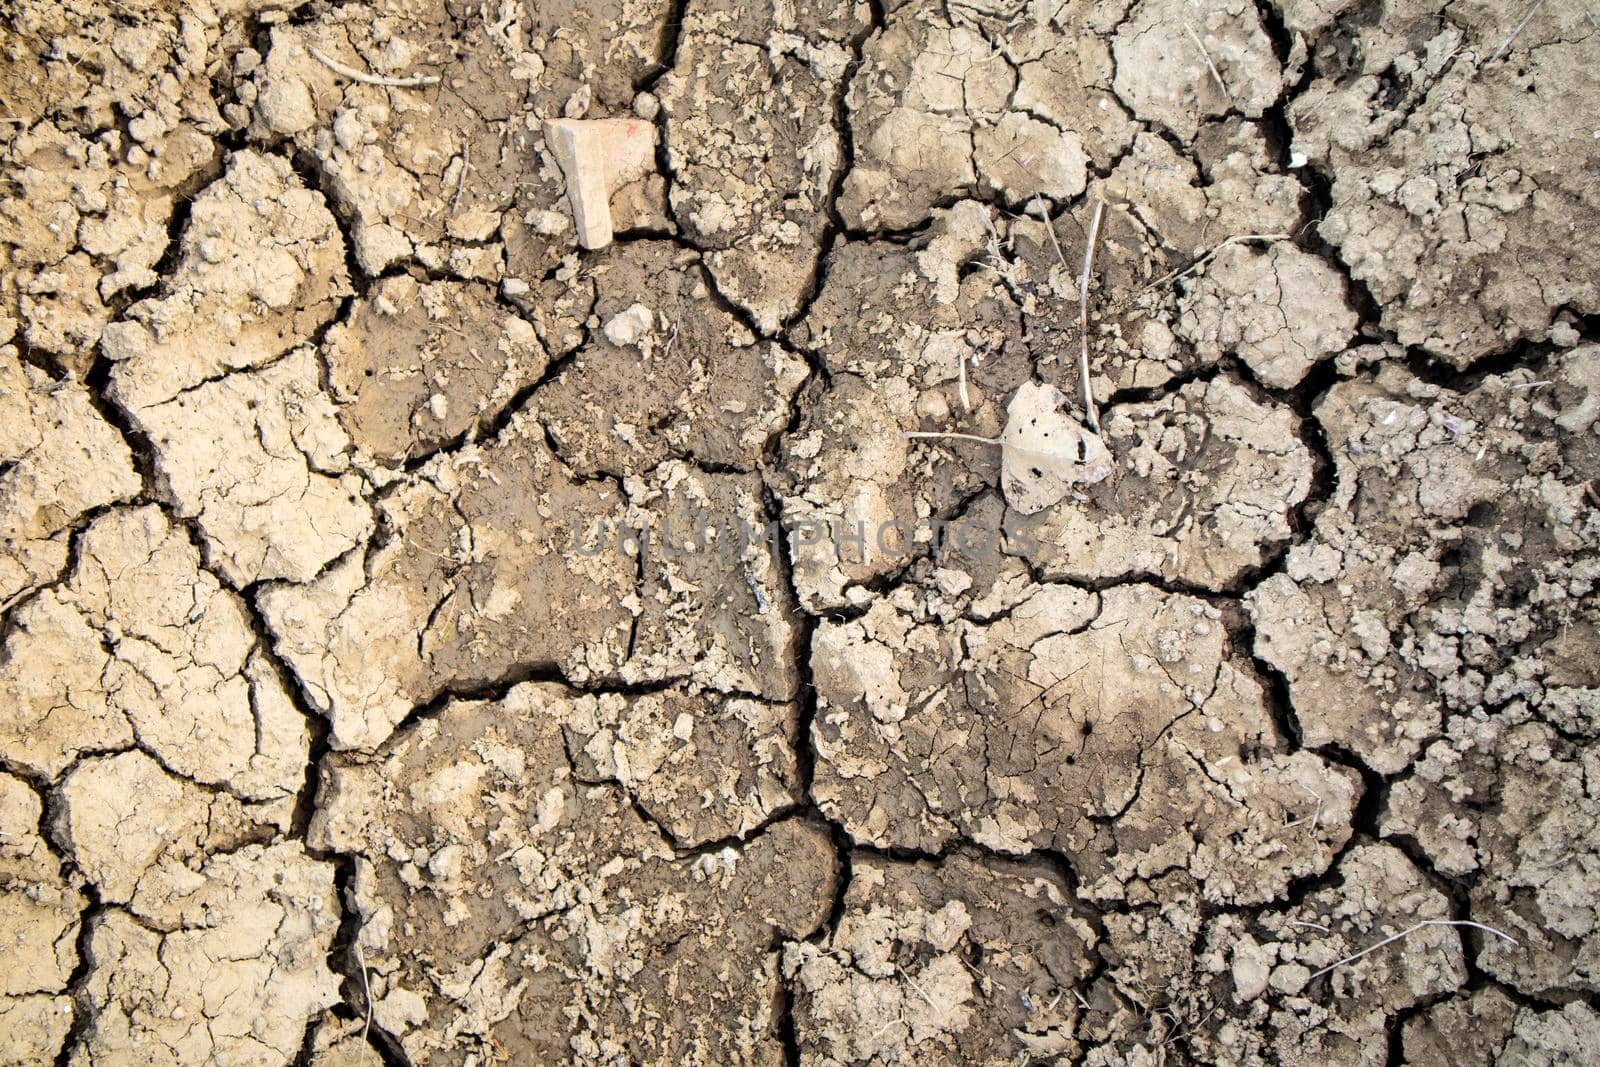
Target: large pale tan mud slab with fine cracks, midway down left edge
143,649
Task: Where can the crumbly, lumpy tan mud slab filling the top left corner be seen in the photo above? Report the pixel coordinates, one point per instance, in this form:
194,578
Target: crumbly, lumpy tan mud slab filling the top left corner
110,126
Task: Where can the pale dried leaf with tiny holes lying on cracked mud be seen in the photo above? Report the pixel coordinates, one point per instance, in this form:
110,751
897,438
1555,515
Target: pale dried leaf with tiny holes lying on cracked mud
1044,454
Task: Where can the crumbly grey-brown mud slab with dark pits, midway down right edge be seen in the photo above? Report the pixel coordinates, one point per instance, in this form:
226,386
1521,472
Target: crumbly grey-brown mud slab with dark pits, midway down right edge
1450,572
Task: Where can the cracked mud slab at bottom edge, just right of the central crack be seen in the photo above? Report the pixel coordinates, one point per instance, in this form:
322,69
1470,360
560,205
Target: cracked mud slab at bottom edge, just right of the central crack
951,961
